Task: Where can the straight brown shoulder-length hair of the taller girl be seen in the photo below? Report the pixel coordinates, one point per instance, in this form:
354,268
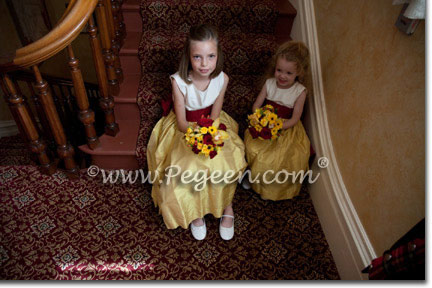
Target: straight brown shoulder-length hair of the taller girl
201,32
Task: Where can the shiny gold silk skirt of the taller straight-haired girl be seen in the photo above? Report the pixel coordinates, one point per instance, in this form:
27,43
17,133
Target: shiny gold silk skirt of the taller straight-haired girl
180,202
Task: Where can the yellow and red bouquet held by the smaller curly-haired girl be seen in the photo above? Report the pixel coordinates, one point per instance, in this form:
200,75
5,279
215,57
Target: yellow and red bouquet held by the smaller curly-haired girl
264,123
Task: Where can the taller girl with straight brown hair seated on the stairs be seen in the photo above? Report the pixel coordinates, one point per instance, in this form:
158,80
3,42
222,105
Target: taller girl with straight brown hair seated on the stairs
198,90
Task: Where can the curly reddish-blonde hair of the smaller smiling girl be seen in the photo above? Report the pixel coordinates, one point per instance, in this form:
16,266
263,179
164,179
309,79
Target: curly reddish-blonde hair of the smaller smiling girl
292,51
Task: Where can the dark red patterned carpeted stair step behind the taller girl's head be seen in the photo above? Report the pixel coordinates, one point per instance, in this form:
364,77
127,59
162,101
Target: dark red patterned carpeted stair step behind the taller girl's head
245,53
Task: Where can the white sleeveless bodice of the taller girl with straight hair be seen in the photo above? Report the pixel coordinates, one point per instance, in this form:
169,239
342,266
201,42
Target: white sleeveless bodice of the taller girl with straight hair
196,99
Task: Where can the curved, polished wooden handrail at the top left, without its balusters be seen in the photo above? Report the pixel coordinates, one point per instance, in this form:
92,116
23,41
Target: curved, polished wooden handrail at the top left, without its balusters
56,40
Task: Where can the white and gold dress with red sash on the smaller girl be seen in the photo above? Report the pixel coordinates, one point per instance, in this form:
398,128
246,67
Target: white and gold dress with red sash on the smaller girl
290,151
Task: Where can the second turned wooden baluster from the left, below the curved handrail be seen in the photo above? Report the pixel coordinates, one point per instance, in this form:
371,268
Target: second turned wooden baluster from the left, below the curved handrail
64,150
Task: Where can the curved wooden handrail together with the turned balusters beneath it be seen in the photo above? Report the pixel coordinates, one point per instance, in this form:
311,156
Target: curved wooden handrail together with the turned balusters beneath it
77,15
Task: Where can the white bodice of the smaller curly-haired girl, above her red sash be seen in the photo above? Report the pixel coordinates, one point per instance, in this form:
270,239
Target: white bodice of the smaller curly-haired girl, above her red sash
285,97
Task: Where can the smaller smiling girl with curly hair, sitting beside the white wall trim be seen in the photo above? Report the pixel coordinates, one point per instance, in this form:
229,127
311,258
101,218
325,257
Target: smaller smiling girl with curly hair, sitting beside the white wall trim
285,90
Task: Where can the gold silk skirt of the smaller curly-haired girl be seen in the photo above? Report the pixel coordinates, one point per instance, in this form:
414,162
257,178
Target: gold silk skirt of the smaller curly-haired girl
290,152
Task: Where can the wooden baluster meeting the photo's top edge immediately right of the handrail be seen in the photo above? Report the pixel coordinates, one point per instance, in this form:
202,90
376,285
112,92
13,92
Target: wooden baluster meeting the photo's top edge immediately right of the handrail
107,52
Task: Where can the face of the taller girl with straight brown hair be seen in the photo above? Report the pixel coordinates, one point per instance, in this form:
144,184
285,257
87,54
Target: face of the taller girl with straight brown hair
203,57
